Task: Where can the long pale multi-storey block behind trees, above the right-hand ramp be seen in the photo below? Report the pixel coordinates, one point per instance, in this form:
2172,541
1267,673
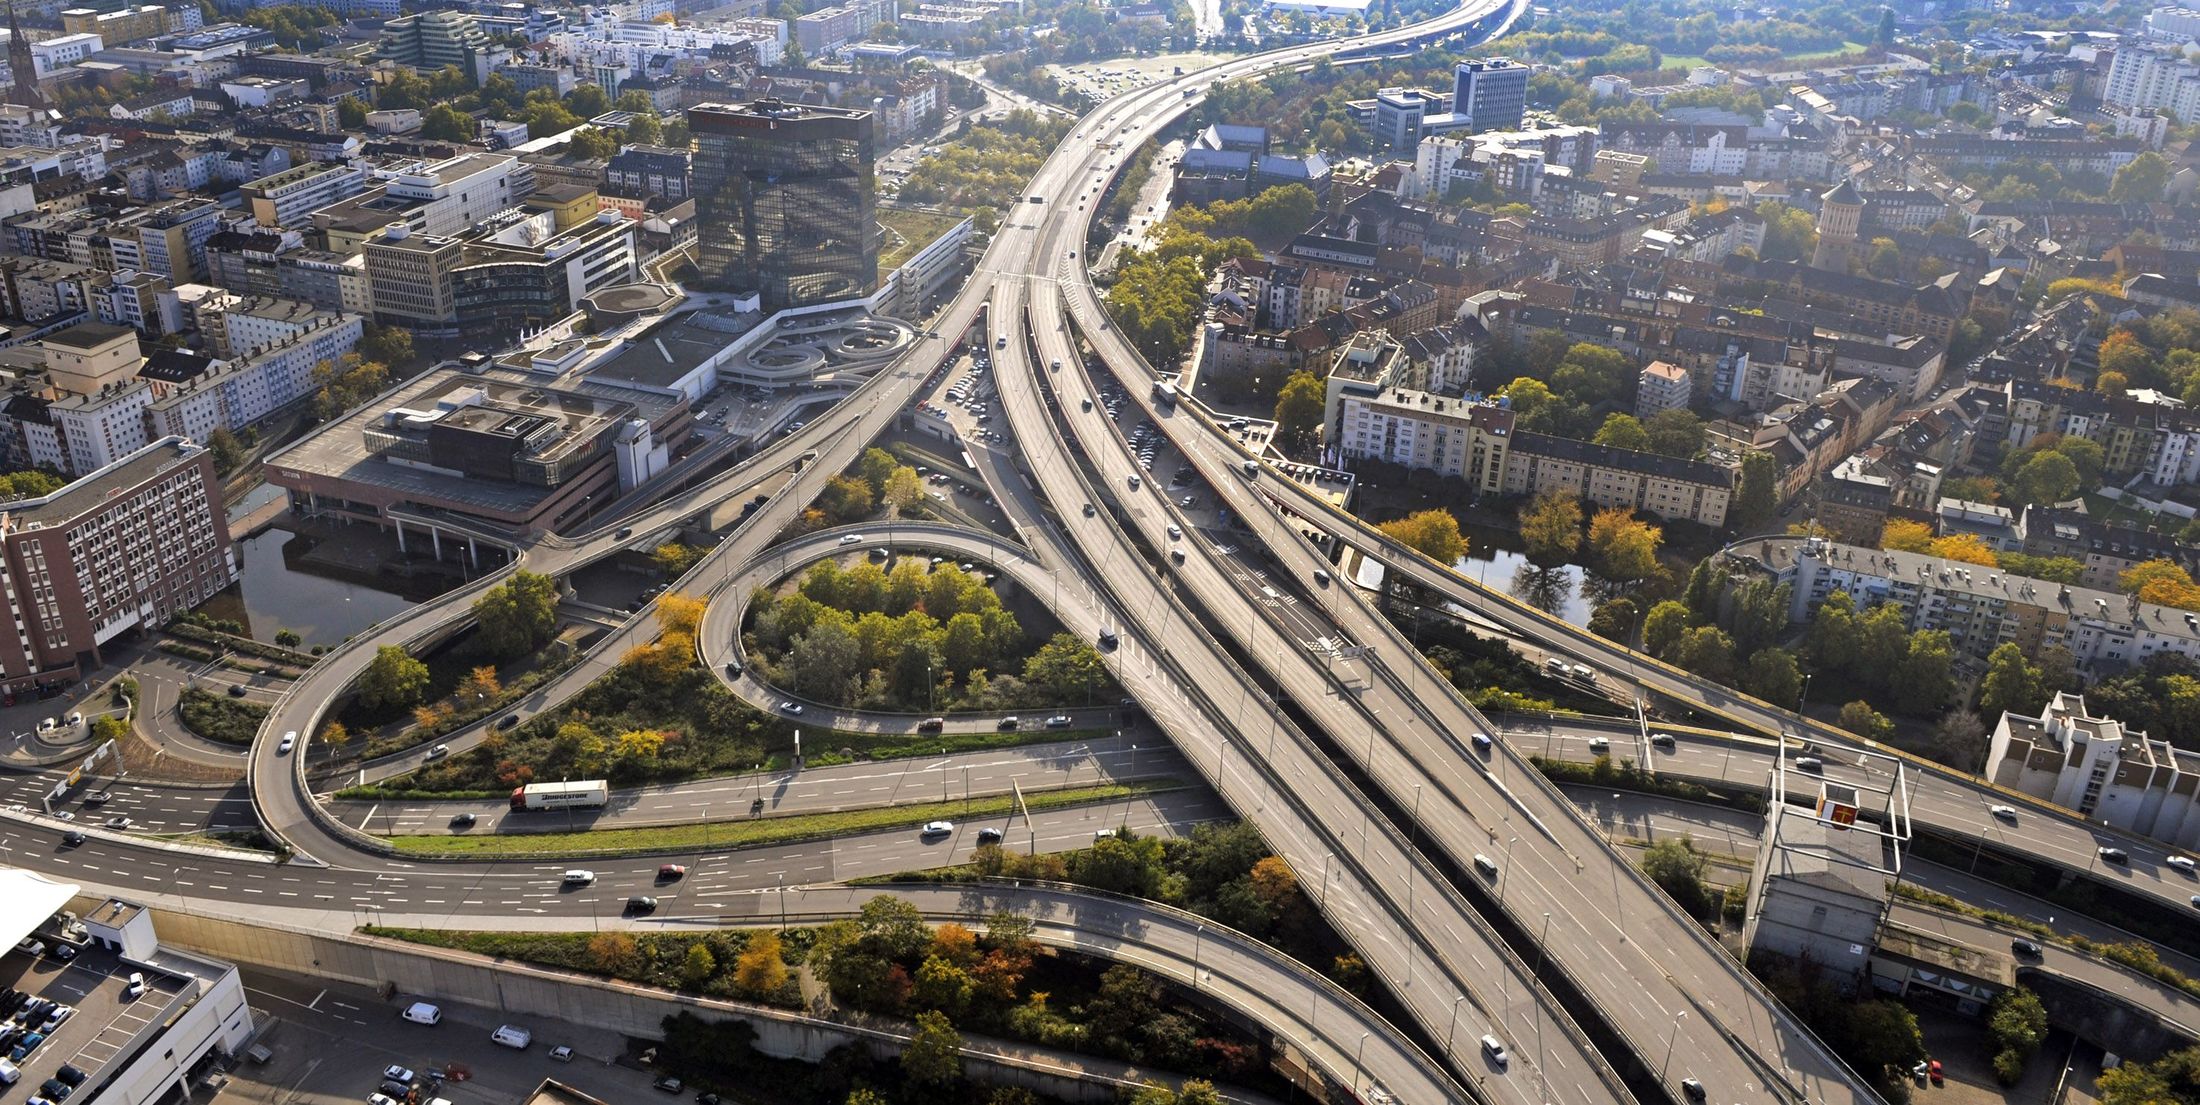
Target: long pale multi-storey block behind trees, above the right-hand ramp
1981,609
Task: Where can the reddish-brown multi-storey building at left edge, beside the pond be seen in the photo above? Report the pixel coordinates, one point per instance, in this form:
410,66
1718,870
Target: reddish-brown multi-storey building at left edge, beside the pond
124,547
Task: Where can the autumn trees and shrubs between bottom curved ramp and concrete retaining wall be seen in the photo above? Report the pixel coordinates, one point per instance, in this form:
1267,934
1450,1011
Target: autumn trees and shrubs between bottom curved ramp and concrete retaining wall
949,981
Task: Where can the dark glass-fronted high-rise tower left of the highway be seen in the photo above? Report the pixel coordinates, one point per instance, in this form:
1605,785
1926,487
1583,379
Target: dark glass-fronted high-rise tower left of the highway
784,199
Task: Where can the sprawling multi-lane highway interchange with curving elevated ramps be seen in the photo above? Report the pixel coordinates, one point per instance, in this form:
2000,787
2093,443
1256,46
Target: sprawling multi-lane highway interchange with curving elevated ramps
1365,785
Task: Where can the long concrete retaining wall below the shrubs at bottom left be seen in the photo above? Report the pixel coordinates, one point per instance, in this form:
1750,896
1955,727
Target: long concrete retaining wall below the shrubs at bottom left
505,989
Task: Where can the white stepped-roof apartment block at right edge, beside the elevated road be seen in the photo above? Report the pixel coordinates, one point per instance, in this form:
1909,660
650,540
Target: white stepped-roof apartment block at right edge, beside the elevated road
2100,769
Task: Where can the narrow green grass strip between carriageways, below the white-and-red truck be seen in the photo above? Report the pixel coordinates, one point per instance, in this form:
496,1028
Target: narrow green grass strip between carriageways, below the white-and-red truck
747,833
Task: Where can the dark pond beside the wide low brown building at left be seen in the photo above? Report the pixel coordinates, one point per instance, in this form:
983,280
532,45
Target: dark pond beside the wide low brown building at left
276,595
